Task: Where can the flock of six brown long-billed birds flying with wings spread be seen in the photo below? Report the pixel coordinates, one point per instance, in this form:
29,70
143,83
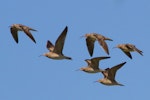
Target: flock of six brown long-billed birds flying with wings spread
55,52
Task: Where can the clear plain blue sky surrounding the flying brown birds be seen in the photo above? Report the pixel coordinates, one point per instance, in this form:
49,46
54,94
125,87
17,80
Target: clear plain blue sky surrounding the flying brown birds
26,76
